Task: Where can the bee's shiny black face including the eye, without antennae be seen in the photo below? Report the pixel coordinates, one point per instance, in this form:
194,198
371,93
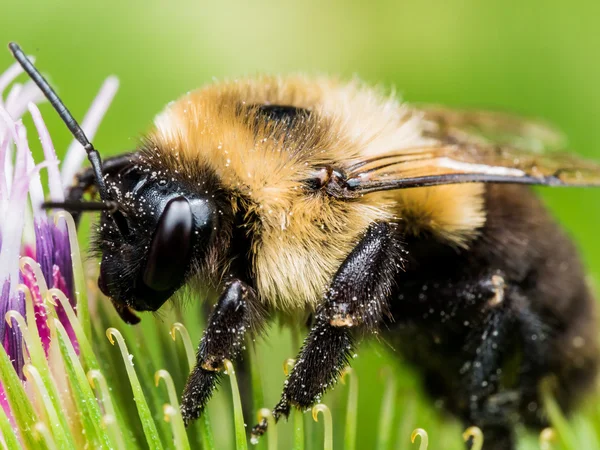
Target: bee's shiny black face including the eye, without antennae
162,230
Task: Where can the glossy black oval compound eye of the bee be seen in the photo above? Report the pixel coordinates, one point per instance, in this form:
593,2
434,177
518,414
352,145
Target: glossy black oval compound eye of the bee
171,247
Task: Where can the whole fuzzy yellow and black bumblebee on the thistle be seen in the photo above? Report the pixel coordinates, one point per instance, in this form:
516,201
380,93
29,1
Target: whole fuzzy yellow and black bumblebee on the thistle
297,196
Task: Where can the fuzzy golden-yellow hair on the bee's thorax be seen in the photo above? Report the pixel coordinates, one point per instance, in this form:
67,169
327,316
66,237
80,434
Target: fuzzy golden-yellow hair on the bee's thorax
301,238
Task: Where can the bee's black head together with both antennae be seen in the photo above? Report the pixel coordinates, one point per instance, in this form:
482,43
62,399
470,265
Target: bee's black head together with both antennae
153,231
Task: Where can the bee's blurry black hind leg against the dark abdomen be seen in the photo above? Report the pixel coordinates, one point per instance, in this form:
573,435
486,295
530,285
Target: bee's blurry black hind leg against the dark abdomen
508,320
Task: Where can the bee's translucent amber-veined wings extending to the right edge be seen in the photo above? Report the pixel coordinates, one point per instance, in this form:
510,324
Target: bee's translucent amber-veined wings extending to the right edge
475,147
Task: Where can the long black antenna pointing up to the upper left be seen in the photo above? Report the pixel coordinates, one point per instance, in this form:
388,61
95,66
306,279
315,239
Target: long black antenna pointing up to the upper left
65,115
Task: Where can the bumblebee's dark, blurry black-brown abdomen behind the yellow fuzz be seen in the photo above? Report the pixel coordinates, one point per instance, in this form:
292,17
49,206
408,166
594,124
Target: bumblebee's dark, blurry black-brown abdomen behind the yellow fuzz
491,322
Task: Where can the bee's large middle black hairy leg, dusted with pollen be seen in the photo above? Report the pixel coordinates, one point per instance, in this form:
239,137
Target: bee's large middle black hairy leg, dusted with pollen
357,298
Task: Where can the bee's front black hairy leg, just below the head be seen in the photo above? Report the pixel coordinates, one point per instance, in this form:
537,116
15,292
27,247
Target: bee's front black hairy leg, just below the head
223,339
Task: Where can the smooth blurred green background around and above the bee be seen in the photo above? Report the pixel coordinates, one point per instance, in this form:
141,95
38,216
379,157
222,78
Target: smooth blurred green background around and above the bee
538,59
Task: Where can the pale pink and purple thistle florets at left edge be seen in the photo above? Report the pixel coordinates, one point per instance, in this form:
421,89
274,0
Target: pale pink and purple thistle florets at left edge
19,182
